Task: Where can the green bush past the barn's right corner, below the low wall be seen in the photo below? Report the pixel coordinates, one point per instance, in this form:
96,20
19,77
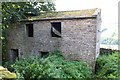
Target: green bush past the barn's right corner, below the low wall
107,66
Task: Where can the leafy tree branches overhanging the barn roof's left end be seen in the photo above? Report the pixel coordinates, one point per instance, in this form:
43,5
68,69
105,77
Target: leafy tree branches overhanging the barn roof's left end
14,11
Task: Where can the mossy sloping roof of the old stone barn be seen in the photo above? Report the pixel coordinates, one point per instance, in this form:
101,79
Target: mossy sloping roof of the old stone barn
88,13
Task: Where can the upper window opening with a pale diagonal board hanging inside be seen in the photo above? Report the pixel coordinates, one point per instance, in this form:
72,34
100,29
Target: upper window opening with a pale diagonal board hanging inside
56,29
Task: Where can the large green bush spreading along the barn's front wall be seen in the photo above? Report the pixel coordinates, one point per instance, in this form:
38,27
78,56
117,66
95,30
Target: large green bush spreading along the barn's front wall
52,66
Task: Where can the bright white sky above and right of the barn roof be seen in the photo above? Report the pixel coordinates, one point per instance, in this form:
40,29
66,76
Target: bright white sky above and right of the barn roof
109,11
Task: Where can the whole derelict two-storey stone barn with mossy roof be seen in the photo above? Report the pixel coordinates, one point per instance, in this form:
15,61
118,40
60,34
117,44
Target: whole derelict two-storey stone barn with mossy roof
74,33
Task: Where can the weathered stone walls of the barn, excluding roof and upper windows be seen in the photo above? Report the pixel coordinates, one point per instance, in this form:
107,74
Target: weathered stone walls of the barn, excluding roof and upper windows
79,39
